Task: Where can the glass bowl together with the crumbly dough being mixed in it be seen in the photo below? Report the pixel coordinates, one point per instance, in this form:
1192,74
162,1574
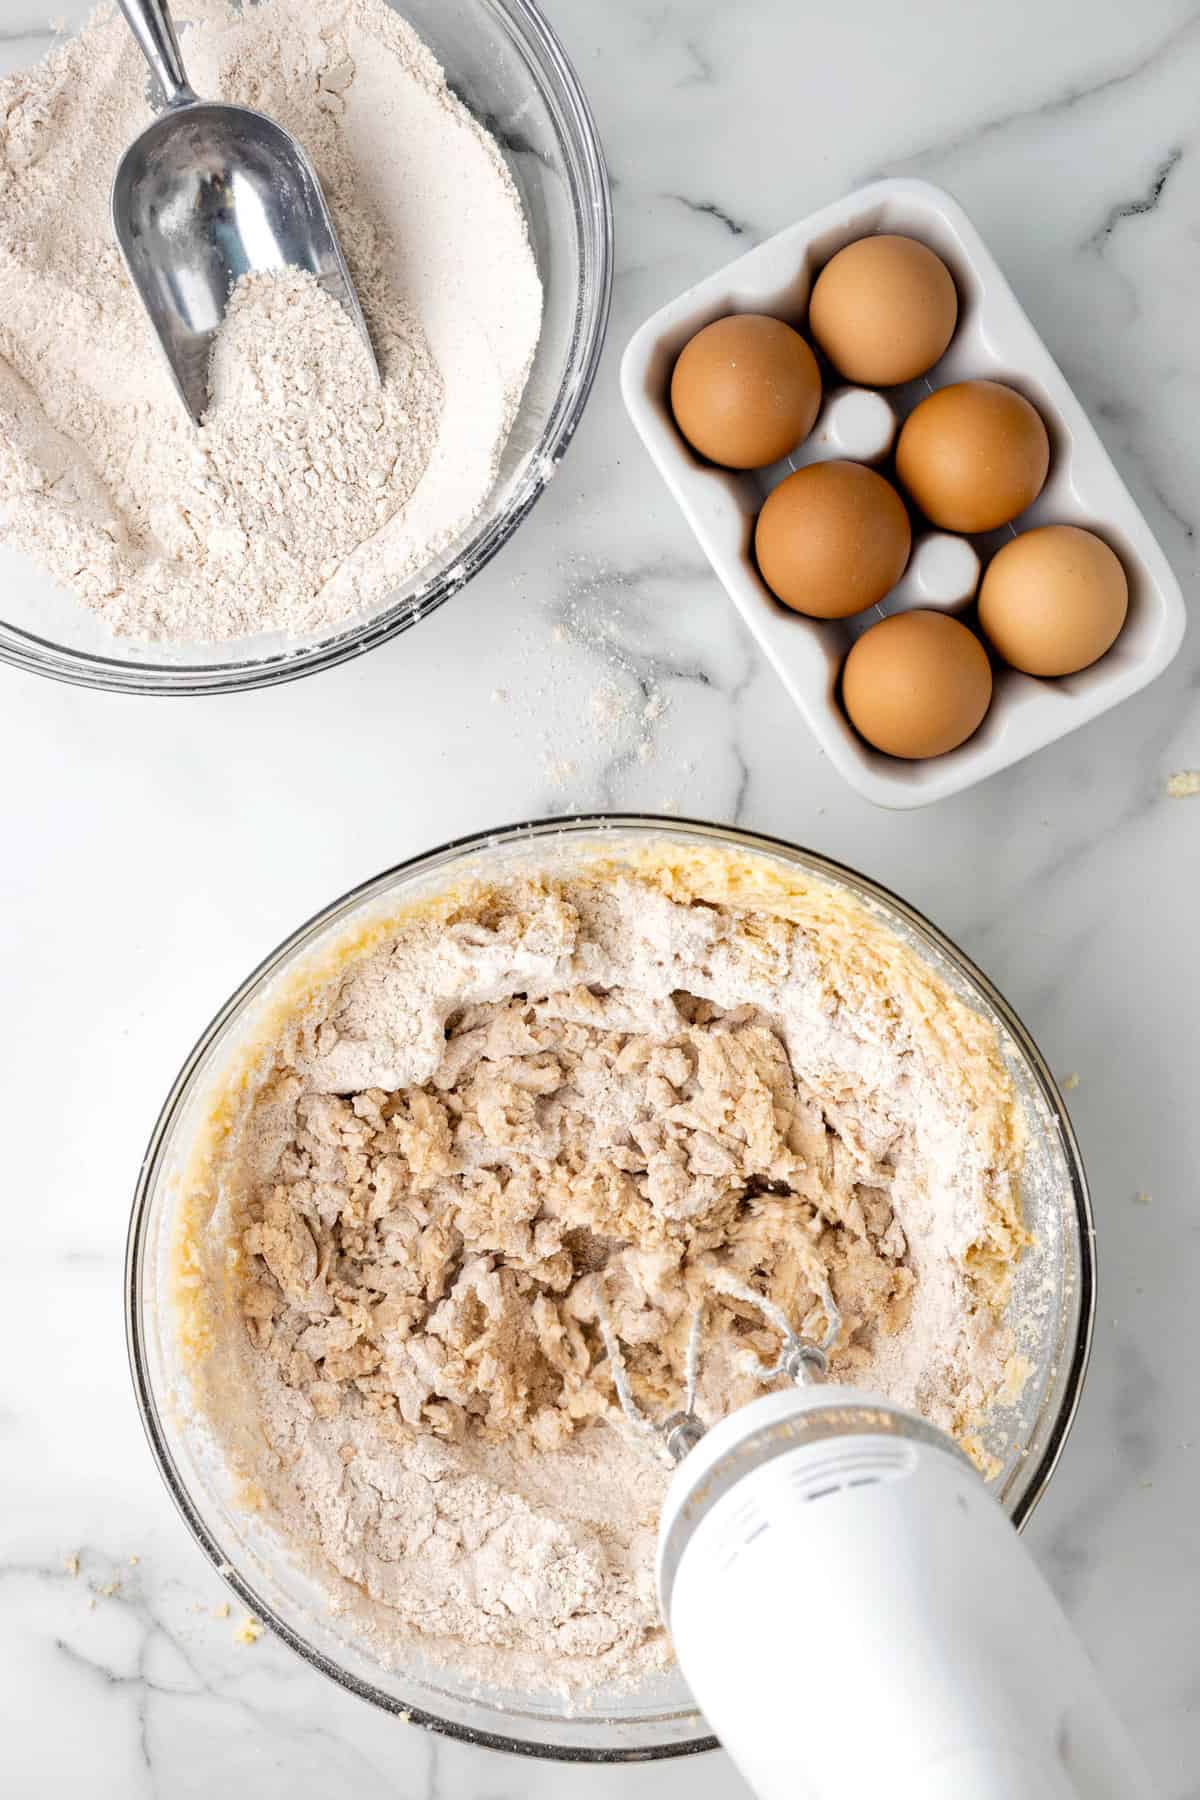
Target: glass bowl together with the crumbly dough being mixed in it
562,1083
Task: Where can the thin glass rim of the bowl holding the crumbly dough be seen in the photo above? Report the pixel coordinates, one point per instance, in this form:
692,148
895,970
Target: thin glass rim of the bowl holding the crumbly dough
532,832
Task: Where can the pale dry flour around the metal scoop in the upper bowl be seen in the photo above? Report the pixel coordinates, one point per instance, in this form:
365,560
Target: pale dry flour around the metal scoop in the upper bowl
310,492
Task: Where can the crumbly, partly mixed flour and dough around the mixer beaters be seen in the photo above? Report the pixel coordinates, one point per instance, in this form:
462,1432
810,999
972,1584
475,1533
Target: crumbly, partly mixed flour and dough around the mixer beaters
607,1088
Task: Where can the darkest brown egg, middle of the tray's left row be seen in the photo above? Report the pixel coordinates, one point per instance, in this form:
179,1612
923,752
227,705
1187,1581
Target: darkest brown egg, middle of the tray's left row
832,539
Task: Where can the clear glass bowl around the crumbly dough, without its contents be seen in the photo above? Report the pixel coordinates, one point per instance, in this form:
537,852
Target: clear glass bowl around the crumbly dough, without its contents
1052,1306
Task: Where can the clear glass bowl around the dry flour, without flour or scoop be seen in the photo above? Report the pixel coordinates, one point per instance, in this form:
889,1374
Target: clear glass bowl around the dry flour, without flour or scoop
508,67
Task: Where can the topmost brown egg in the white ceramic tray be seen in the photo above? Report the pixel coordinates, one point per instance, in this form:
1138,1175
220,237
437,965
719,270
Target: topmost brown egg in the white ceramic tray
884,310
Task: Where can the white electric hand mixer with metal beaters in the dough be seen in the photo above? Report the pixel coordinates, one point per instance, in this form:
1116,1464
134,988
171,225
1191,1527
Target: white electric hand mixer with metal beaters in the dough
854,1612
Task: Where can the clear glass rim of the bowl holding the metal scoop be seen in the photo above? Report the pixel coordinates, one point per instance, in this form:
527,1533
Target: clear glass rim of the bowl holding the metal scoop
593,210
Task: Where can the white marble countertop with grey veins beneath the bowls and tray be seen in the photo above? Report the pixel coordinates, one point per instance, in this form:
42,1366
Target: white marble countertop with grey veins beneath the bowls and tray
156,850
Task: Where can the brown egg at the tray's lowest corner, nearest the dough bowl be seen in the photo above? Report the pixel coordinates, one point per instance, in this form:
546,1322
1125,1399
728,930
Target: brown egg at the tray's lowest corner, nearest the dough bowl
917,685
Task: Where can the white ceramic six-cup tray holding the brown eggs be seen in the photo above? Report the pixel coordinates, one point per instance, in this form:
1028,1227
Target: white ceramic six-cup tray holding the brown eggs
994,339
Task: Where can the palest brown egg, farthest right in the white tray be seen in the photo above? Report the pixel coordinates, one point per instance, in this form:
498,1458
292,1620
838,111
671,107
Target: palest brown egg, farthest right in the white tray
1053,600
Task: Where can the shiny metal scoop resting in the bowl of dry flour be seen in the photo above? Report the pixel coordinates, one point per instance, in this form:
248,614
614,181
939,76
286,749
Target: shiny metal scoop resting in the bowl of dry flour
210,193
